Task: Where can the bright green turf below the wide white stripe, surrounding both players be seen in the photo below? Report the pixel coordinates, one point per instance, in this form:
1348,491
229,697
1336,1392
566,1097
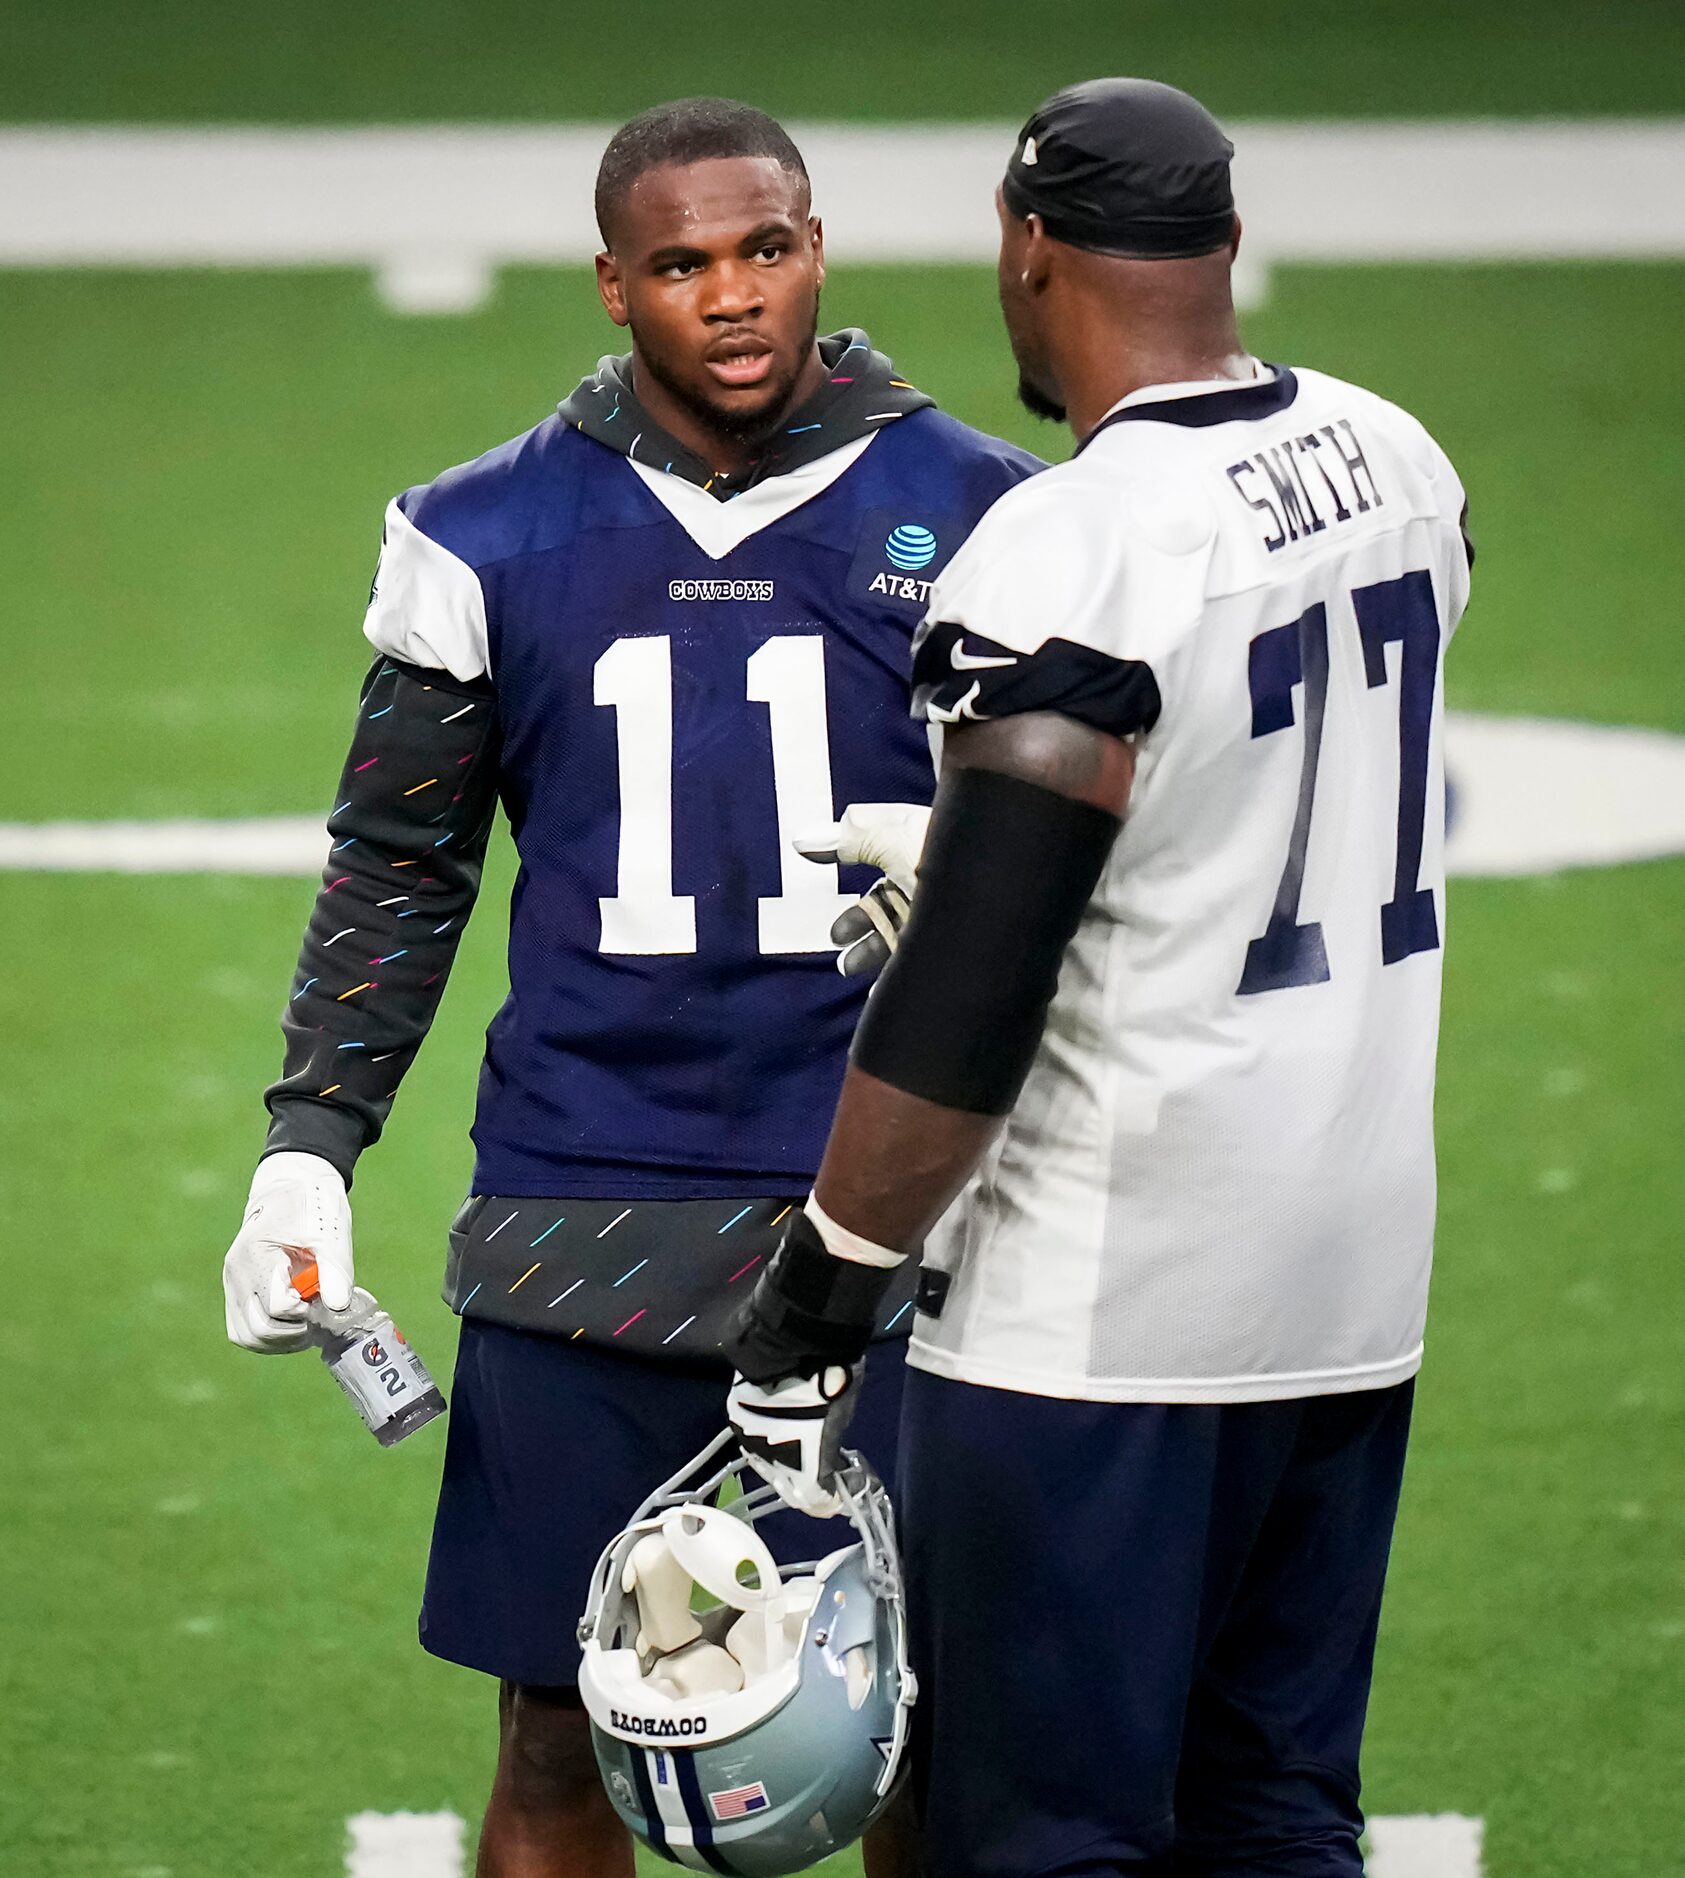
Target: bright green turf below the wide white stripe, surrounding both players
208,1603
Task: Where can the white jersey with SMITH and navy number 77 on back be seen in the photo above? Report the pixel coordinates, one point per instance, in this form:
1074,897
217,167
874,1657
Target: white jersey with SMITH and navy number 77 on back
1218,1182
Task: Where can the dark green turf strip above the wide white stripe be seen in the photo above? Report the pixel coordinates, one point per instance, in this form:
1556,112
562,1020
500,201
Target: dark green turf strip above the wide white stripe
392,61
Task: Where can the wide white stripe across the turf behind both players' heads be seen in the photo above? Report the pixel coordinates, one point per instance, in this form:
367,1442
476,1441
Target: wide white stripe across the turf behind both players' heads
437,209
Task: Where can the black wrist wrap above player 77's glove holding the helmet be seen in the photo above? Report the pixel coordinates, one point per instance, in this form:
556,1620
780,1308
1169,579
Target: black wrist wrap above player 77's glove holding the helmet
809,1312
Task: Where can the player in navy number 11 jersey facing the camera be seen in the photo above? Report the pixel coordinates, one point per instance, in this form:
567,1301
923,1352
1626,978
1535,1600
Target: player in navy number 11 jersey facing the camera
668,630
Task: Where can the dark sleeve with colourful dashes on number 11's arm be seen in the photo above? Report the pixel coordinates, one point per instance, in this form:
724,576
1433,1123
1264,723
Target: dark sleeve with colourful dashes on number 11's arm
409,842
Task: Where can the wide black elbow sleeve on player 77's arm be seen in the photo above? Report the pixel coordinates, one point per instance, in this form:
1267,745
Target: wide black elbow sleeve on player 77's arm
1006,876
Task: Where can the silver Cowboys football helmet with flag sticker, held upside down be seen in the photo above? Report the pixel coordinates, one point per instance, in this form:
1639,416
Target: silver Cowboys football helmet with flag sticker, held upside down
760,1727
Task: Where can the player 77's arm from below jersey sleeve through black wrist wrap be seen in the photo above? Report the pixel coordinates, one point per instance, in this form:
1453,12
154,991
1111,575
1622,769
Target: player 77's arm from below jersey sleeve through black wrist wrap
1023,825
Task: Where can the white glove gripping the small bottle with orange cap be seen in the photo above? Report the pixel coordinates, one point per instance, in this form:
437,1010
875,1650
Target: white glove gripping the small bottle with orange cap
298,1212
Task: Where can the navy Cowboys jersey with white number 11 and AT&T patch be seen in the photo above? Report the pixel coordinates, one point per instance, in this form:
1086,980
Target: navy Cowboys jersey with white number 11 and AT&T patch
681,686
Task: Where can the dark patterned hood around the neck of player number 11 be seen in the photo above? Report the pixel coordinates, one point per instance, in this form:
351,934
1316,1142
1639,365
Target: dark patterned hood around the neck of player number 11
861,393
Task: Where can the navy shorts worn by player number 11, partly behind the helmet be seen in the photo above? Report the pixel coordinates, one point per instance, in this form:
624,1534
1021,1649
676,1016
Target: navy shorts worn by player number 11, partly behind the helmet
551,1449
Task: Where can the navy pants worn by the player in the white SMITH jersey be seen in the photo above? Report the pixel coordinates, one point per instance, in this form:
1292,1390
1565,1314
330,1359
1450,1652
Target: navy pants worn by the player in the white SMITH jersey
1145,1633
